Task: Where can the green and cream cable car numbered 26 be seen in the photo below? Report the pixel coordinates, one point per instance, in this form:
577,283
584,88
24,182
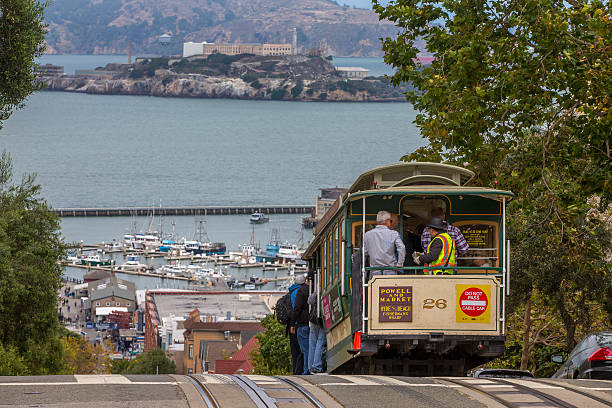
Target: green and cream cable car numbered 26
412,322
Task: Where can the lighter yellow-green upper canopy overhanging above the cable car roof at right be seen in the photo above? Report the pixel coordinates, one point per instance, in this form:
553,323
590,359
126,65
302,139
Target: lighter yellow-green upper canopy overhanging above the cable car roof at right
502,67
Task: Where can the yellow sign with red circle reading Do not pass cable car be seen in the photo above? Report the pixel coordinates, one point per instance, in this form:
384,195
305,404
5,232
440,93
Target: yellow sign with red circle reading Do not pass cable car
473,303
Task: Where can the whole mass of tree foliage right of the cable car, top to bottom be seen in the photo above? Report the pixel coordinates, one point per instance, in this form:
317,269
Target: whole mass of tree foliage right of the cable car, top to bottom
519,93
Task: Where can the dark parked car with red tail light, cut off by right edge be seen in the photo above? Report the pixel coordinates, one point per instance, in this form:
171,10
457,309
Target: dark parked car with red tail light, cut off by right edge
591,358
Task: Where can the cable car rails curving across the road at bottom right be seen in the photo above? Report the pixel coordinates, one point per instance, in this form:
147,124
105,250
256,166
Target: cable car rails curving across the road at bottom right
545,398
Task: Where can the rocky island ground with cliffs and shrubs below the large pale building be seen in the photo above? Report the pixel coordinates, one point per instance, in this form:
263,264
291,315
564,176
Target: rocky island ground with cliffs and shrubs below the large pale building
241,76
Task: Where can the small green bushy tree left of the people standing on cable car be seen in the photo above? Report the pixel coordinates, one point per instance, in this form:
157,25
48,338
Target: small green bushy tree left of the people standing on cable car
273,356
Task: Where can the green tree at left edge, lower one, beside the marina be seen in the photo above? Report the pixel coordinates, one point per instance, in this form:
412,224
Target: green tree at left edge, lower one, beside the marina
30,245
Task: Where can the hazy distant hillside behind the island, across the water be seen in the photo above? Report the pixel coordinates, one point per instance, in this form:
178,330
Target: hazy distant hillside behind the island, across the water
107,26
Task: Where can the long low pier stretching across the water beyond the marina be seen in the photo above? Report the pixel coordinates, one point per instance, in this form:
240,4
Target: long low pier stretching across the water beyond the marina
197,210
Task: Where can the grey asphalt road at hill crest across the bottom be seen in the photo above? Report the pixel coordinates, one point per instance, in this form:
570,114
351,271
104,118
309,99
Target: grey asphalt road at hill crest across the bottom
331,391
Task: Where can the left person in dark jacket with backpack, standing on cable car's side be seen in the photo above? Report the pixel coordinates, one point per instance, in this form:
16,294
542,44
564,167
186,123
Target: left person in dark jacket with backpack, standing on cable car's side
299,318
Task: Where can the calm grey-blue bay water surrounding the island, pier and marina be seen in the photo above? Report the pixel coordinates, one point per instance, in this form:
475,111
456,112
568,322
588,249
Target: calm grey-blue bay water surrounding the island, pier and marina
111,151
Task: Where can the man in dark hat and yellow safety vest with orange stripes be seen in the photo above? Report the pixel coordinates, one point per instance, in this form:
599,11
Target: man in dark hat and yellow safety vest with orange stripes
440,251
